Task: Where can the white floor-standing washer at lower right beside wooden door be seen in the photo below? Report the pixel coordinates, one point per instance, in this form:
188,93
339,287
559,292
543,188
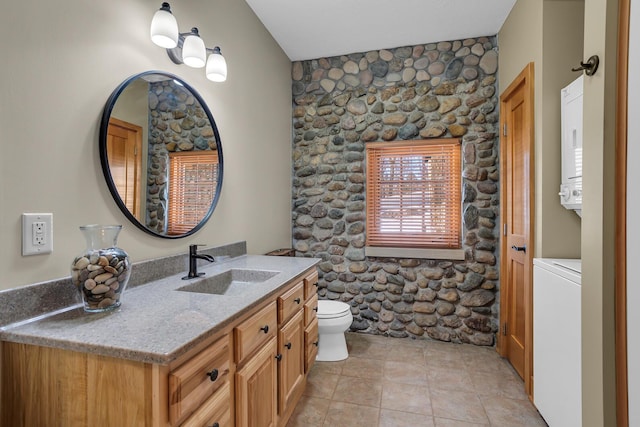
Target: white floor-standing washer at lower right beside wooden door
557,353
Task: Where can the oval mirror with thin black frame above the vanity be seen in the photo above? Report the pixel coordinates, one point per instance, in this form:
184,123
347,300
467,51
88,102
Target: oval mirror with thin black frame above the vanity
161,154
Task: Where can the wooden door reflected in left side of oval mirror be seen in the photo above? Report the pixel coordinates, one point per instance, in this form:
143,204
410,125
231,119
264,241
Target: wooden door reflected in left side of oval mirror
124,152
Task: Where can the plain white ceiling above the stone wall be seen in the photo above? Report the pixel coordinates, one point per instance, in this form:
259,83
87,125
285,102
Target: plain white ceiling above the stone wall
311,29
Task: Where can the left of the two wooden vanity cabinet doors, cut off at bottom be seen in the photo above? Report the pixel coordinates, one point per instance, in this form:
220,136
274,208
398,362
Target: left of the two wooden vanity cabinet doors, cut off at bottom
256,389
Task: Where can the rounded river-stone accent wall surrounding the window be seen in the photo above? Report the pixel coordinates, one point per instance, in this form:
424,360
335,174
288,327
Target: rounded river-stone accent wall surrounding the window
445,89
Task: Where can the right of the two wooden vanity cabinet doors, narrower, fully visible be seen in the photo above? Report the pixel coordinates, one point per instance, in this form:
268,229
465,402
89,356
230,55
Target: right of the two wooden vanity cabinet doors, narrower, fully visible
291,378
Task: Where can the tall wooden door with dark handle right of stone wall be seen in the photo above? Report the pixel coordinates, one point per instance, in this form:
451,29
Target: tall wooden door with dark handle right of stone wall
516,302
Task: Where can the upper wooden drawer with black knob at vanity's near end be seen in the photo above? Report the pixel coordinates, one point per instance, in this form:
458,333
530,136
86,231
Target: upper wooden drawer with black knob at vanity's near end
195,380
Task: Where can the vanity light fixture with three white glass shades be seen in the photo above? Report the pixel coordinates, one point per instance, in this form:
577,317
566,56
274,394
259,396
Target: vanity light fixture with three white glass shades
186,48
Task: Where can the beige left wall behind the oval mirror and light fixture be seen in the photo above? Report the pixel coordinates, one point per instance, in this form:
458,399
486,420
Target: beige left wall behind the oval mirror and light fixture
62,61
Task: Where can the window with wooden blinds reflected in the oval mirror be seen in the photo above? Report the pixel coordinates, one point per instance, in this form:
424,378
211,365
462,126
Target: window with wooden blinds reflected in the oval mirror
193,178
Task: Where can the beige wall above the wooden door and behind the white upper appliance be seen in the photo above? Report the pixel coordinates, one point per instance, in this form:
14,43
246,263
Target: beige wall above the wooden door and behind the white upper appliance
549,34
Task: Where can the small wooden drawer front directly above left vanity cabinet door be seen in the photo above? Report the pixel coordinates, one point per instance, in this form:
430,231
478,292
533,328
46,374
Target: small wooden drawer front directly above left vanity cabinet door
255,331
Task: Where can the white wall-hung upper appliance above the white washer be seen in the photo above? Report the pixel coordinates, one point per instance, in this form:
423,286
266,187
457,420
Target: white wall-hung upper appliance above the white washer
571,112
